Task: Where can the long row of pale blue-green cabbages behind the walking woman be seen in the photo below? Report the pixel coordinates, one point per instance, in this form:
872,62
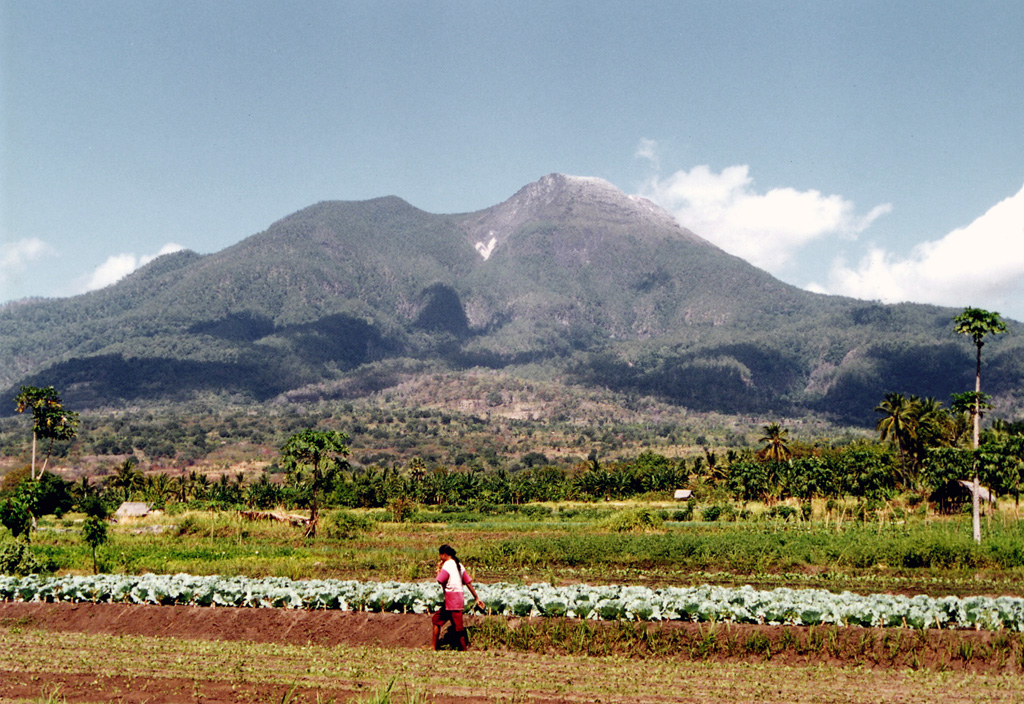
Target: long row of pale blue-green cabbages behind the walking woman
706,603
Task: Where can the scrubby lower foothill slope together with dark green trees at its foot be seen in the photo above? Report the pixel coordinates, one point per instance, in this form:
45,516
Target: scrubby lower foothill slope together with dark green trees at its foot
401,460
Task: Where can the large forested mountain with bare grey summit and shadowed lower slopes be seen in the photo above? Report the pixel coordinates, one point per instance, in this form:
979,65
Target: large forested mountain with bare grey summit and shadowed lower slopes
595,286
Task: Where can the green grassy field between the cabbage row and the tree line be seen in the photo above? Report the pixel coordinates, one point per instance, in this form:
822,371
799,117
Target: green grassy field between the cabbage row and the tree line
623,544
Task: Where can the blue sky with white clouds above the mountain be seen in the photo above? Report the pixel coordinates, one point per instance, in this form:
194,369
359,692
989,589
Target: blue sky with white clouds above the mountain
867,149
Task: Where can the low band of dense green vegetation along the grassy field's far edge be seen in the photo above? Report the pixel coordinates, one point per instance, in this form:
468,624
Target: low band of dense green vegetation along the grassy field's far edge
869,473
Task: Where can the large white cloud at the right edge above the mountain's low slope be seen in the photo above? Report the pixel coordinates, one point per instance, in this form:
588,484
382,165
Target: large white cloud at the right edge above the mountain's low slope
982,265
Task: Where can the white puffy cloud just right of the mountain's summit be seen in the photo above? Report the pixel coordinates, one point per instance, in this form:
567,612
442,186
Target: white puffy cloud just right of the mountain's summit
765,229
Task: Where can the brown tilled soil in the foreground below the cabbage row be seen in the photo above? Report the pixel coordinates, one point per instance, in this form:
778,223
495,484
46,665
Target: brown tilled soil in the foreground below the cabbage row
885,659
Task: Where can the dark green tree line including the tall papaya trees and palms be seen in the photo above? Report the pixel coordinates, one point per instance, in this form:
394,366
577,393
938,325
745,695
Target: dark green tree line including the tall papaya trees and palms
922,446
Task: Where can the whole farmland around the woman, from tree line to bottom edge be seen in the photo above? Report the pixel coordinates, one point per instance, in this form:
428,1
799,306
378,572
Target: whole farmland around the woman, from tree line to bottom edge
616,603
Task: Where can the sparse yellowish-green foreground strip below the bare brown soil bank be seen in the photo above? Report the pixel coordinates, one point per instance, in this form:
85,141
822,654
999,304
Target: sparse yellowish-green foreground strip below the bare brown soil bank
58,668
